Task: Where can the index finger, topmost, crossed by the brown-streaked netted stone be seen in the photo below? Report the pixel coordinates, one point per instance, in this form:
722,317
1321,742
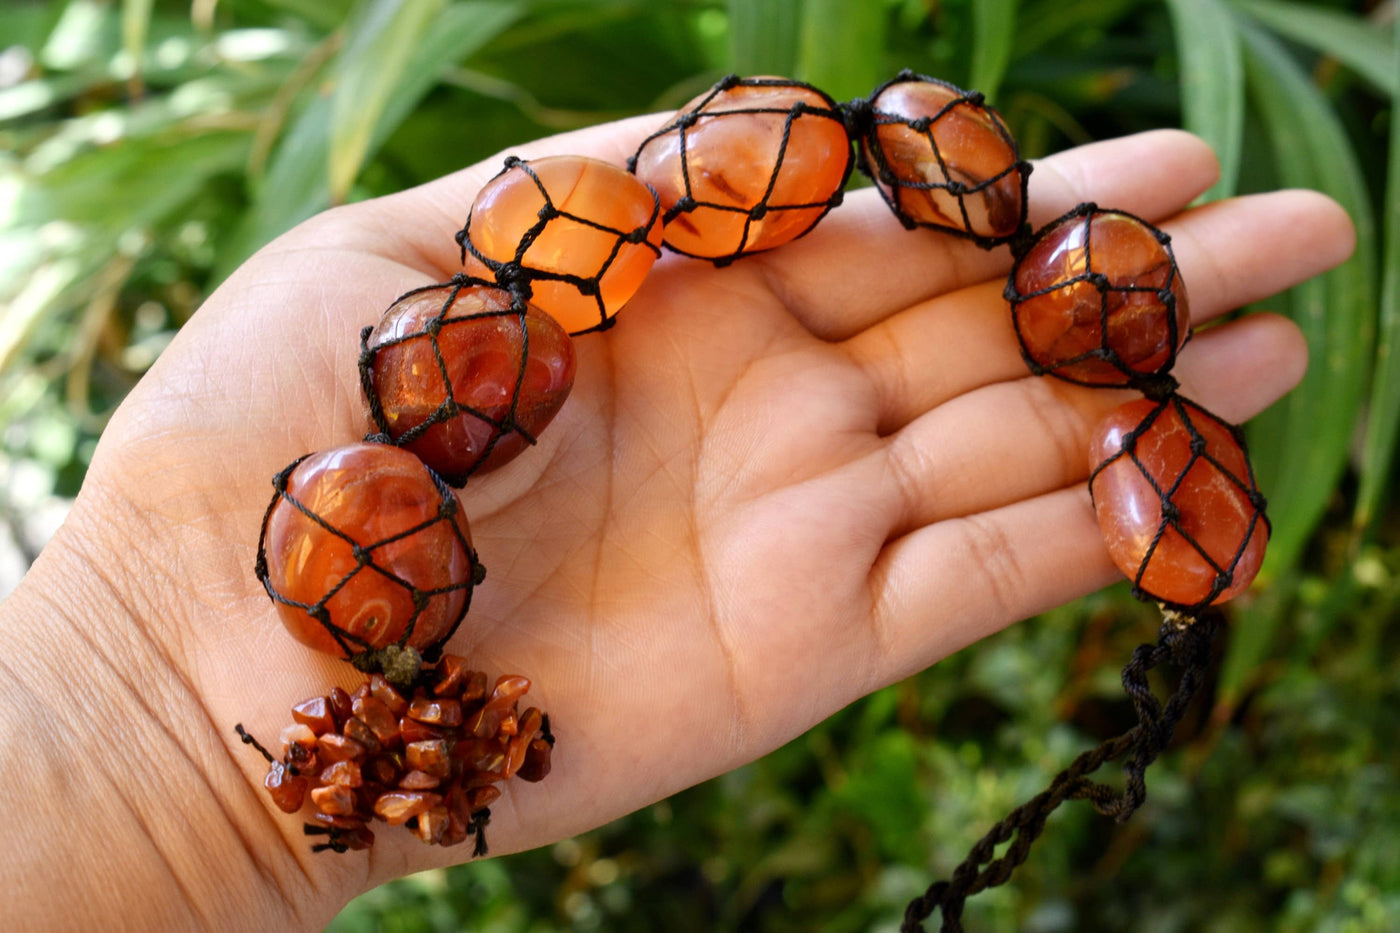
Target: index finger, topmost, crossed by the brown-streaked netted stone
860,265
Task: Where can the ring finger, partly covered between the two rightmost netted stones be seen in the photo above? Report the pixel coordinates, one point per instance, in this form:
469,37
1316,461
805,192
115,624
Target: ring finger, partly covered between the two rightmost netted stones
1028,438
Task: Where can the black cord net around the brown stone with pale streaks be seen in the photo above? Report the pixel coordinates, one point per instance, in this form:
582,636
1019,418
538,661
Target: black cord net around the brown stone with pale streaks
953,184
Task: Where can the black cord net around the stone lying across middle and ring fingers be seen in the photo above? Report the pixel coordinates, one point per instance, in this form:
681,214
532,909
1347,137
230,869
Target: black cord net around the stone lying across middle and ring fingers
1165,284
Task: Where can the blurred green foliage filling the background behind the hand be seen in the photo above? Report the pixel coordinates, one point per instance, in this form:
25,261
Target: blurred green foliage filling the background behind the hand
149,146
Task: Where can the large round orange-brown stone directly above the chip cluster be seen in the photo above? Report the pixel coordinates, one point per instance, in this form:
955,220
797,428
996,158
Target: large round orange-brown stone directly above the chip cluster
369,494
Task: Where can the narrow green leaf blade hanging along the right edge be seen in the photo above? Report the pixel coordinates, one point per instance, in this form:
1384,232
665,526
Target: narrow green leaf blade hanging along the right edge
1385,392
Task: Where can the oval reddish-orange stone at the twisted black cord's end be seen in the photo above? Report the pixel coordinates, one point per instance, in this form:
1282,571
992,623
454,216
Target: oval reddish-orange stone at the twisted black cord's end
1212,505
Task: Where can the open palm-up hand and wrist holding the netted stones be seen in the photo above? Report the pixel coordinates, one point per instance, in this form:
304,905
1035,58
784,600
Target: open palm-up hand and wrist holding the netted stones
775,490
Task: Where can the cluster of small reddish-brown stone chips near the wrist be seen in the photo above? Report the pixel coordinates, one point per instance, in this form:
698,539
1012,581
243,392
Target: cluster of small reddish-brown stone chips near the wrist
432,761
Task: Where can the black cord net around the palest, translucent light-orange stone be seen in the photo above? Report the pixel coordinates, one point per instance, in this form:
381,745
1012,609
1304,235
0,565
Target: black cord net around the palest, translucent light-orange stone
520,274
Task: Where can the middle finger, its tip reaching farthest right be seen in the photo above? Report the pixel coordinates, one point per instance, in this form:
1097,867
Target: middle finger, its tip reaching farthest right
1231,254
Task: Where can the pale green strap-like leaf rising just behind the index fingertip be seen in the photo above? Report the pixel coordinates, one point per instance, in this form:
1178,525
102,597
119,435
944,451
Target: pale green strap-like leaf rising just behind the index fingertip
1213,83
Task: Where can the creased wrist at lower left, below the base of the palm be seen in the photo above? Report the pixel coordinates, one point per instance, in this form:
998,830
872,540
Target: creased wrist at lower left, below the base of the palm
117,775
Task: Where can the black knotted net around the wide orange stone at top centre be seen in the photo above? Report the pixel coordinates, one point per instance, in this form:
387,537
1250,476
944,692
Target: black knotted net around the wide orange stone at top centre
752,214
